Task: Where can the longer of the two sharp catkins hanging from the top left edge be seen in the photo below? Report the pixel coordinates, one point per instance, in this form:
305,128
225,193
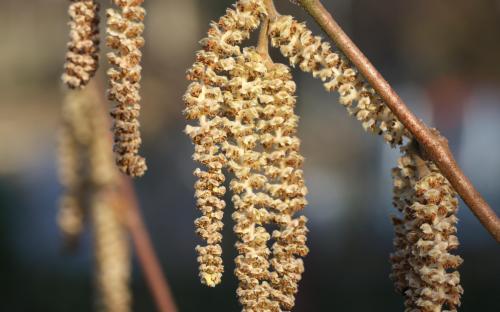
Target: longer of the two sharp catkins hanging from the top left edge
124,29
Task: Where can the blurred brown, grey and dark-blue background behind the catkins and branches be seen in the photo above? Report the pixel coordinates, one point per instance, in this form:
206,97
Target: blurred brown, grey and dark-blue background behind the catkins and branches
441,56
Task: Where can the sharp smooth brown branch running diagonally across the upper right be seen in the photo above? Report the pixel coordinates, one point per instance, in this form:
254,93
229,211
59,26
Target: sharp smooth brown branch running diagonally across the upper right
433,144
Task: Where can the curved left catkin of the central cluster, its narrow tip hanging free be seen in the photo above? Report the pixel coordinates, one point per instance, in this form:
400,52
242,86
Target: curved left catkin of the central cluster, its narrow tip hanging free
205,102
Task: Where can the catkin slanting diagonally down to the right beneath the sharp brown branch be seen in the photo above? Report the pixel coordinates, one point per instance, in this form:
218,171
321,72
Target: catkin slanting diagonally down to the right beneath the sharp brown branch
312,55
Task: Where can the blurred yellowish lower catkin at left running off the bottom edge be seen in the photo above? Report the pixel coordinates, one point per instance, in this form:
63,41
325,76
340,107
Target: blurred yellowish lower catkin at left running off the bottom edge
112,256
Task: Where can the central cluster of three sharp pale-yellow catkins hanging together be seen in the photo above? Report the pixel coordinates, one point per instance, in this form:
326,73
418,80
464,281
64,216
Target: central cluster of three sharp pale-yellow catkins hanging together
244,105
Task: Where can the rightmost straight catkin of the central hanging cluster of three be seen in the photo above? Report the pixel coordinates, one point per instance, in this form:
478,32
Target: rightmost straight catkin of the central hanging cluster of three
284,182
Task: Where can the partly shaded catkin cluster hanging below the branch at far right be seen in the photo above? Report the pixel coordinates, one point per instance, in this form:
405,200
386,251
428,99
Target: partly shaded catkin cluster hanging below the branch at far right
422,265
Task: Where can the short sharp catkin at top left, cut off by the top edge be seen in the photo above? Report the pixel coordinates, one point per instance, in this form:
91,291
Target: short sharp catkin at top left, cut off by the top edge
82,57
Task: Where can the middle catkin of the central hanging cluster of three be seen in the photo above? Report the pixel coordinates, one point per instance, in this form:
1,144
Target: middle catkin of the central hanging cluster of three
249,183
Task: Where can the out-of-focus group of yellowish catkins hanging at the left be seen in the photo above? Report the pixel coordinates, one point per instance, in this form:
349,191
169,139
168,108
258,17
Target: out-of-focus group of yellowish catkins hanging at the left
90,181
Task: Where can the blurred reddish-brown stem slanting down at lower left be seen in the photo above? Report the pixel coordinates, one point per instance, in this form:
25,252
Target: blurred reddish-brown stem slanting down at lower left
145,251
